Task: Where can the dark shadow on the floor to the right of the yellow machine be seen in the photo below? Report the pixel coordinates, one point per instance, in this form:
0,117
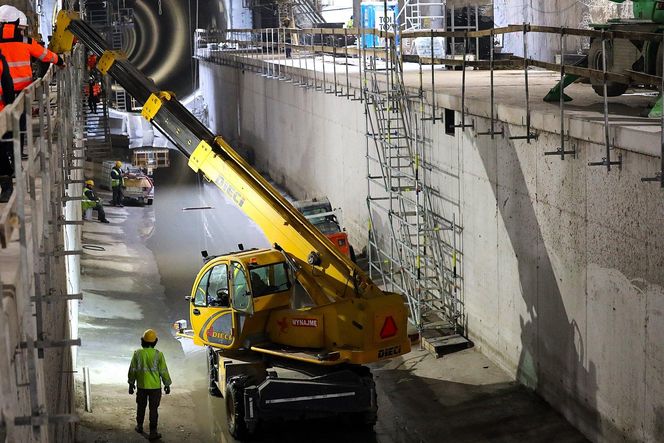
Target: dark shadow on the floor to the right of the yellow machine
434,410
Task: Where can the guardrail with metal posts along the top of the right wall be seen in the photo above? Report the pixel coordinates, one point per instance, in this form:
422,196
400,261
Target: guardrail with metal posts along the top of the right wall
286,53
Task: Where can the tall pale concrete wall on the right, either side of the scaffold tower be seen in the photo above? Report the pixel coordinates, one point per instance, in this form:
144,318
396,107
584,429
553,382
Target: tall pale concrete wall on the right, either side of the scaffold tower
562,262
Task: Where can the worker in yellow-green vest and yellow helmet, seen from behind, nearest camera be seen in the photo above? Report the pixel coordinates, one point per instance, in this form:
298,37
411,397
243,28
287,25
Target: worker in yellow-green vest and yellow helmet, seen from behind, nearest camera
147,370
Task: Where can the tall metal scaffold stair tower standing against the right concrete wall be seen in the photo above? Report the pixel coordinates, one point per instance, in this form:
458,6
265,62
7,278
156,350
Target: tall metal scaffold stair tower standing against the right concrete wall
415,258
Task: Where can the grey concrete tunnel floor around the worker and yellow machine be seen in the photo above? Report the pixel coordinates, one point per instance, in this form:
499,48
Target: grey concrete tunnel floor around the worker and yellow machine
136,272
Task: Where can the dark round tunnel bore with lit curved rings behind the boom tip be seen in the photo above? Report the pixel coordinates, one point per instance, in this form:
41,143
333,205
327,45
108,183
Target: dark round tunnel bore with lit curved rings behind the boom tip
160,42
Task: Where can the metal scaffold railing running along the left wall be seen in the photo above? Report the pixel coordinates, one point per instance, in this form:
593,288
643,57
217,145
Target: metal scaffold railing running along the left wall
38,226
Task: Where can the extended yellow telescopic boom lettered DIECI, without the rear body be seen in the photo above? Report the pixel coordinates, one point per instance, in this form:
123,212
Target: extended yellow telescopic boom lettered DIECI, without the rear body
327,274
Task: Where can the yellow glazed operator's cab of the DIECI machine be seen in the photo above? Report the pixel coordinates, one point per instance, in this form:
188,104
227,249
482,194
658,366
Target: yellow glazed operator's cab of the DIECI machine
233,295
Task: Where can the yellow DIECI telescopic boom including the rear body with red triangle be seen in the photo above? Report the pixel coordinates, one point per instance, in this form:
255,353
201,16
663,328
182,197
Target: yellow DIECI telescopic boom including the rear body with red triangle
360,319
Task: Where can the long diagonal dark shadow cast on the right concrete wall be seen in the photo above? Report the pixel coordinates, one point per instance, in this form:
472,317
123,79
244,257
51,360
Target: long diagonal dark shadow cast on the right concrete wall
553,354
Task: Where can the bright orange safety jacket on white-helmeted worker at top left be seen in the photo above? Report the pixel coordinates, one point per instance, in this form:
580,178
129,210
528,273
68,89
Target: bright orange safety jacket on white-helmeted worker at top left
18,50
